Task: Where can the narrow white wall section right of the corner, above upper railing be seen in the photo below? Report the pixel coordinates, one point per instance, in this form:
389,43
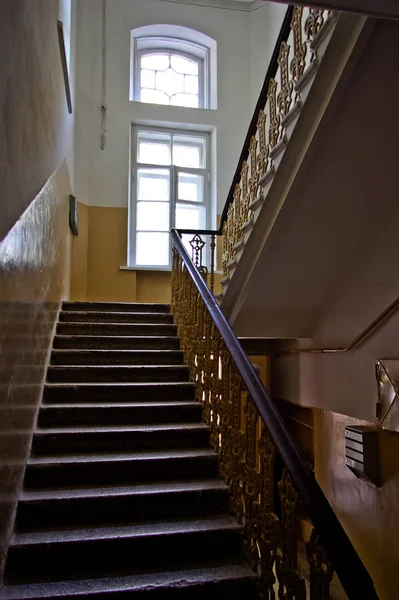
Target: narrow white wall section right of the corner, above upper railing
264,26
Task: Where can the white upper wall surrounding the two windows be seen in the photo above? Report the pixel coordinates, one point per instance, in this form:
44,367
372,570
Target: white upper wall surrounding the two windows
102,175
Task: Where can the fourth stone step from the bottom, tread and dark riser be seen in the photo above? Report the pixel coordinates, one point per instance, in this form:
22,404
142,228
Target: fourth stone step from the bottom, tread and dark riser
108,469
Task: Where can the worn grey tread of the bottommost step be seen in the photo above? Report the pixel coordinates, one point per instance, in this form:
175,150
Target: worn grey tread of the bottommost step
142,582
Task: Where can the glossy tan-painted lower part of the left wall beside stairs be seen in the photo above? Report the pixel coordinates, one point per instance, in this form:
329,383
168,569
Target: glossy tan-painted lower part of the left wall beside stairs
34,279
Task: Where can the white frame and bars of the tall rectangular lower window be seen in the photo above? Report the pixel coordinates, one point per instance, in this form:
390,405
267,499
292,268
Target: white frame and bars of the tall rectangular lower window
173,181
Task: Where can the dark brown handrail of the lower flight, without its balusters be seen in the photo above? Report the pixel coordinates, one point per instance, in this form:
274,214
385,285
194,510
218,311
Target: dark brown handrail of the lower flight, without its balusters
354,578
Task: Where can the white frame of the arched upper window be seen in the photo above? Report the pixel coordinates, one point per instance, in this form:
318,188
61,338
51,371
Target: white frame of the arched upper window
191,50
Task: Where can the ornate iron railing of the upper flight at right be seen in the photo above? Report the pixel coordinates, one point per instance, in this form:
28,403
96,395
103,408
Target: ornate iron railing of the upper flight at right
295,56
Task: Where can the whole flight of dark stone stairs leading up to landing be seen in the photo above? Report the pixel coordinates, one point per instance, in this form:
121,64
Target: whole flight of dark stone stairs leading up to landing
121,494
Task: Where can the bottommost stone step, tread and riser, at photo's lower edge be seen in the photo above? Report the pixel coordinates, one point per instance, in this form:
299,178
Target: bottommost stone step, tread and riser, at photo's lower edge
232,580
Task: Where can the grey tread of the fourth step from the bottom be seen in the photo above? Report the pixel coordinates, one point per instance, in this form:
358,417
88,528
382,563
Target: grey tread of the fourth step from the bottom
126,456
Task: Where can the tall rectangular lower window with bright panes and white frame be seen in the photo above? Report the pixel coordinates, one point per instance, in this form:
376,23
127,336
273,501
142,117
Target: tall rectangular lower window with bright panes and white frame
170,189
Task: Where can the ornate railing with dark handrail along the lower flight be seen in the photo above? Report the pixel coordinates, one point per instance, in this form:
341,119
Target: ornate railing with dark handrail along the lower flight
258,455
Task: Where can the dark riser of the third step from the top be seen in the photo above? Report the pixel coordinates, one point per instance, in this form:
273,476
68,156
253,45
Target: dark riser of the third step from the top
116,329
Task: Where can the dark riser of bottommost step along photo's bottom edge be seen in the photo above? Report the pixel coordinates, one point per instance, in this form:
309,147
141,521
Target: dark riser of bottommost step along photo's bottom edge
242,589
